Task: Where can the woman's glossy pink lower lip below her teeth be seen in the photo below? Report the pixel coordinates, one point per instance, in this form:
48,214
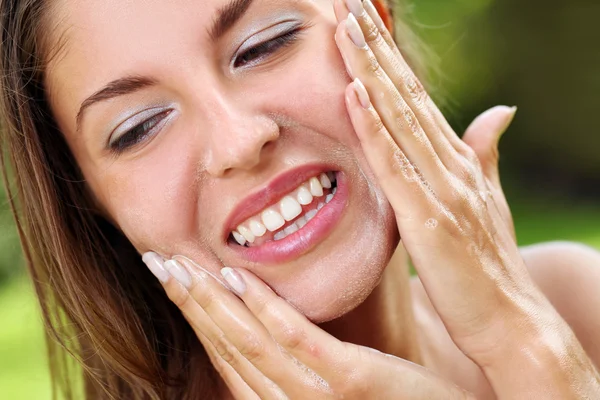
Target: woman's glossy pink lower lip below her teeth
300,242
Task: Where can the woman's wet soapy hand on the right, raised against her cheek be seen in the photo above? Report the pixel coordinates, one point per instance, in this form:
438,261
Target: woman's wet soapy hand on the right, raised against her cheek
454,222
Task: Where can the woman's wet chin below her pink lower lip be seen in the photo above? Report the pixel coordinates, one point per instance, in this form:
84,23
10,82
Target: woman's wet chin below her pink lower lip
345,270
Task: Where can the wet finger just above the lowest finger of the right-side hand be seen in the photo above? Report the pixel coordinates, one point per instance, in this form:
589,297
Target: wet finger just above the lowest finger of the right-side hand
398,118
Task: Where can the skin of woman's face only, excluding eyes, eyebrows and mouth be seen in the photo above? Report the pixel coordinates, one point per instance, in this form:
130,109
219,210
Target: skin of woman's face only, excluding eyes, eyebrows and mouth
229,134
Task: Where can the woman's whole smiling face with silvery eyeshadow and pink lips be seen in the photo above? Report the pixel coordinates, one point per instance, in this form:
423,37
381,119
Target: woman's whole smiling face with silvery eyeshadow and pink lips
194,128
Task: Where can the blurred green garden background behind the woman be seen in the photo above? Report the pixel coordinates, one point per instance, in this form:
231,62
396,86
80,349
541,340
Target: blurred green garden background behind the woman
542,56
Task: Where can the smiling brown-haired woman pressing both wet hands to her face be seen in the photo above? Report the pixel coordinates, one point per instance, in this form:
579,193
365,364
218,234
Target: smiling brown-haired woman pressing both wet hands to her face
244,134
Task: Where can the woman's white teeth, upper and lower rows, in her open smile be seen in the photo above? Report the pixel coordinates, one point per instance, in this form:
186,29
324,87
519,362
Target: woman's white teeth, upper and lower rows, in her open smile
287,209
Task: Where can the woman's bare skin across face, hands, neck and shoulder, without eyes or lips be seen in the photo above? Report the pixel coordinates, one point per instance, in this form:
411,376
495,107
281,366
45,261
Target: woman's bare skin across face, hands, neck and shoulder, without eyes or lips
206,159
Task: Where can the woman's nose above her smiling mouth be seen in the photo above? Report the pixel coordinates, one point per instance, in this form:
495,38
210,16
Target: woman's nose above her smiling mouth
238,140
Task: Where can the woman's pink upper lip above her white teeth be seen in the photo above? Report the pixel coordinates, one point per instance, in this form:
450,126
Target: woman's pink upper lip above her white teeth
271,194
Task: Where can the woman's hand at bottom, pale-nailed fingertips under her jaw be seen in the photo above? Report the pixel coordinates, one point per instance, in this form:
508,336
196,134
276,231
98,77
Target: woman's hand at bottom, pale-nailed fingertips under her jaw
264,348
